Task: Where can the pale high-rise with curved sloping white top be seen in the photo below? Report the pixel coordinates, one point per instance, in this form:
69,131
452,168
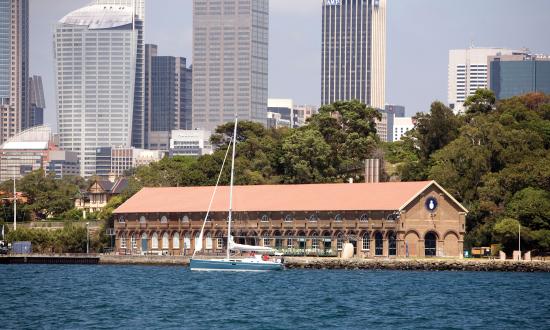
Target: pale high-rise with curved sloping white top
95,65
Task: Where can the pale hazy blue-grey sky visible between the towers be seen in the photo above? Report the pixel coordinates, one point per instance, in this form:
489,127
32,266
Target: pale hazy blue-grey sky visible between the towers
419,36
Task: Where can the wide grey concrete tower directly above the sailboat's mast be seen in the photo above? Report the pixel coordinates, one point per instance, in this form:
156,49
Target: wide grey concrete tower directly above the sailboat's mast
230,61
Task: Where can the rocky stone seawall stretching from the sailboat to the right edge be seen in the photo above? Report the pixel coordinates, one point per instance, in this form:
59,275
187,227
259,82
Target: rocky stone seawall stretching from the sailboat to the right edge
482,265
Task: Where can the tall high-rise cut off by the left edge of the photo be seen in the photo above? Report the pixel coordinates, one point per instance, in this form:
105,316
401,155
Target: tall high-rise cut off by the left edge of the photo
14,67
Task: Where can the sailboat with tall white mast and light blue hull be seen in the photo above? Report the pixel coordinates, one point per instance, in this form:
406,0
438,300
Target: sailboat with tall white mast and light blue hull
254,263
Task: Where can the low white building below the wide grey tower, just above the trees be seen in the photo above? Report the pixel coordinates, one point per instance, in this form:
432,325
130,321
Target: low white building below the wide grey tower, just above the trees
190,143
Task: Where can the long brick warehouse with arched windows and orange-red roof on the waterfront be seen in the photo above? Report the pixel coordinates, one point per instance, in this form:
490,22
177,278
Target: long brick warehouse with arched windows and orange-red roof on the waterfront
402,219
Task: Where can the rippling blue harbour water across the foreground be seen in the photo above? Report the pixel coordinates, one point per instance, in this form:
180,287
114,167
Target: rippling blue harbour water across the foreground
74,297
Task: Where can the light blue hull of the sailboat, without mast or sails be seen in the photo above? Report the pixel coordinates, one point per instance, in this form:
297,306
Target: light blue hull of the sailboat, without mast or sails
233,265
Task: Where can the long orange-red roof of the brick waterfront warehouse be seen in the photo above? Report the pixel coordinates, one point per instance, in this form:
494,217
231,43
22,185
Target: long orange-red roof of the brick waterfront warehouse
306,197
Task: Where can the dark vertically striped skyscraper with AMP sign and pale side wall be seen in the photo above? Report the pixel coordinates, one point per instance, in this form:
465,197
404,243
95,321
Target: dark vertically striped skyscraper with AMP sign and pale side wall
353,55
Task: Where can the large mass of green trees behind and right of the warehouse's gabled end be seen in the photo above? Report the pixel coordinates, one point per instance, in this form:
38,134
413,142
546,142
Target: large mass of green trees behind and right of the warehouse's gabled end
495,161
